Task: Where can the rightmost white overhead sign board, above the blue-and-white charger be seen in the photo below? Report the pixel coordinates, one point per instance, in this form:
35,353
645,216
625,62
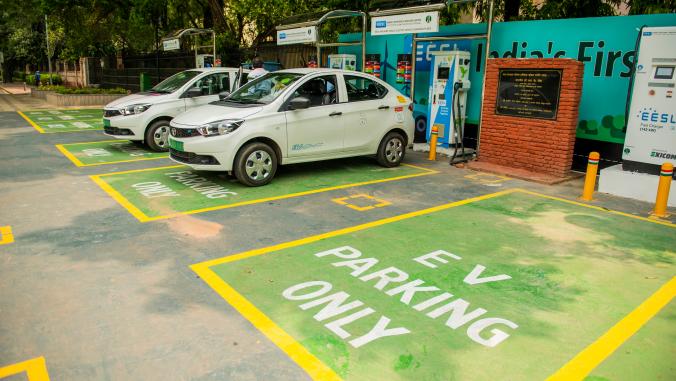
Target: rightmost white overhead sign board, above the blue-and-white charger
423,22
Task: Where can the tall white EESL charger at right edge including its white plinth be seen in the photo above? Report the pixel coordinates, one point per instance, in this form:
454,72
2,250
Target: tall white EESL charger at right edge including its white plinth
651,122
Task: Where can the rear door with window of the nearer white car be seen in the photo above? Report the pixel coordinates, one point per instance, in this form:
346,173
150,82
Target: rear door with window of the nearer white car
367,112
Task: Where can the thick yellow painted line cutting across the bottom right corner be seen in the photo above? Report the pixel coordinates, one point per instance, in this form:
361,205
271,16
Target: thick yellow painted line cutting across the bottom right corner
582,364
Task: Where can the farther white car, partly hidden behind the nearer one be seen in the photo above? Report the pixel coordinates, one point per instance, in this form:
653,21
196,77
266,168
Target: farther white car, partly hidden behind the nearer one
144,117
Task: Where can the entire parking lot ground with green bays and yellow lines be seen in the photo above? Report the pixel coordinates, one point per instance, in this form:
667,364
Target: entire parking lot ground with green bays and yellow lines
540,288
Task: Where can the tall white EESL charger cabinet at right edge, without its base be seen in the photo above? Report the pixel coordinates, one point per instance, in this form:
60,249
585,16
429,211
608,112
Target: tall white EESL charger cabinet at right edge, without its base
651,123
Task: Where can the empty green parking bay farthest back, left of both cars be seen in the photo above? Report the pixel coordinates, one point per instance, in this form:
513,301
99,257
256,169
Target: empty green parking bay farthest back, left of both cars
67,120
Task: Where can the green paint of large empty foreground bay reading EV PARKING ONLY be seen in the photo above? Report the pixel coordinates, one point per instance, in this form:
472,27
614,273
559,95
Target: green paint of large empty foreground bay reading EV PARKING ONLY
575,272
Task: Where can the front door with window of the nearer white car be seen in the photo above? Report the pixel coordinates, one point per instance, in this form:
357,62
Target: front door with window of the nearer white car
318,130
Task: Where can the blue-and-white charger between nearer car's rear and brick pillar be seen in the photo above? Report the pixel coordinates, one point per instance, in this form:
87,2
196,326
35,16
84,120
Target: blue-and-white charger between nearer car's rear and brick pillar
449,83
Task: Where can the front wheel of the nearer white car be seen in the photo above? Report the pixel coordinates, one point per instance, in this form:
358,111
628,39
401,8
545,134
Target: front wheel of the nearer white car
255,164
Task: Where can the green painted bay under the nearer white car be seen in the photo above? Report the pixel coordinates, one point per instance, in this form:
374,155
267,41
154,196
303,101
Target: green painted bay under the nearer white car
159,193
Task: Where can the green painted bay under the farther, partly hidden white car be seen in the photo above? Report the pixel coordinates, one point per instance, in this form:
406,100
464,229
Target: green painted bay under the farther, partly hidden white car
109,152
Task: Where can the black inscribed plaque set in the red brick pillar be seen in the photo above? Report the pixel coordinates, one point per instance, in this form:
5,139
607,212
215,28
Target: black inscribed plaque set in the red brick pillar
529,93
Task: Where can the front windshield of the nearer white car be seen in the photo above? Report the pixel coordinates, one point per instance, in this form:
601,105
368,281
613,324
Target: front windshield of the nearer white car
263,90
